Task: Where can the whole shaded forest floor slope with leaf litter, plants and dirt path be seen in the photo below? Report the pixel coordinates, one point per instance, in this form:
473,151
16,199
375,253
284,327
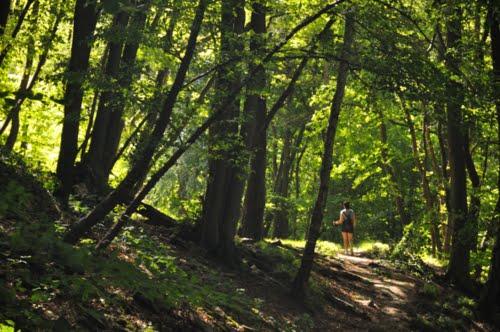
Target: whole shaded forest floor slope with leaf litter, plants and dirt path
153,279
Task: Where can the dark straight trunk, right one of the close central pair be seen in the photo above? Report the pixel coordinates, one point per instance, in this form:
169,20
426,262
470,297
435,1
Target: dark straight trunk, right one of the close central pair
255,141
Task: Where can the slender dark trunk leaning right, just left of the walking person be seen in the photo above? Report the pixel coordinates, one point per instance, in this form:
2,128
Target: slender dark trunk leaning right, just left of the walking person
300,282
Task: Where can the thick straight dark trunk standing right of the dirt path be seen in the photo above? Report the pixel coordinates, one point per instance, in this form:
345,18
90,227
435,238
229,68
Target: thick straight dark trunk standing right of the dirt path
458,268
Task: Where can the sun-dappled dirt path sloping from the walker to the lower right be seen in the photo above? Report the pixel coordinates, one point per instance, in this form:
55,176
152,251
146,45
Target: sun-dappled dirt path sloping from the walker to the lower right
384,299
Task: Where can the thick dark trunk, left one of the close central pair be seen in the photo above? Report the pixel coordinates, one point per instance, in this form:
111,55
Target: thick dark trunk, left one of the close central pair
222,202
